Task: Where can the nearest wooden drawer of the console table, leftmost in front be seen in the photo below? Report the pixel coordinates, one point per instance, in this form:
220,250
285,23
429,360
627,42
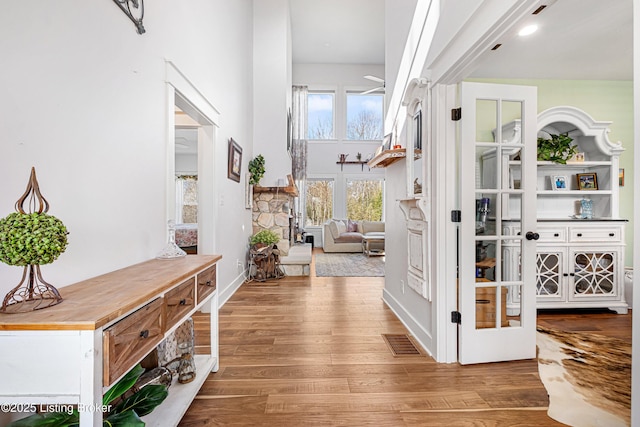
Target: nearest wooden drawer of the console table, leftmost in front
127,341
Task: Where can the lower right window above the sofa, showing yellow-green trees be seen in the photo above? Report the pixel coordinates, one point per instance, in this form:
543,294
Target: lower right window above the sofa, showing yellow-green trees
364,199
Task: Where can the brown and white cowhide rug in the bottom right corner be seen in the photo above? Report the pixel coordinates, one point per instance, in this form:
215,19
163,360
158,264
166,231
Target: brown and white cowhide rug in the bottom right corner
587,376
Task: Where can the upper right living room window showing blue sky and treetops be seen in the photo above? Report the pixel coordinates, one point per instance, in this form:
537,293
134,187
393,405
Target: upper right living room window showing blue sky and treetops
364,117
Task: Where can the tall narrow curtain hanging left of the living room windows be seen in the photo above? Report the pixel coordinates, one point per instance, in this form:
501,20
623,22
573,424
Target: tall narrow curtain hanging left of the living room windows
299,149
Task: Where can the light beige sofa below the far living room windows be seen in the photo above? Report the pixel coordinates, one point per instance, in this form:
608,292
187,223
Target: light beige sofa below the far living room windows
346,235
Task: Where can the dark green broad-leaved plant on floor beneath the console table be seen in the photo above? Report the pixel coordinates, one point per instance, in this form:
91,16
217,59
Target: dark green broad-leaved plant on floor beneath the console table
123,410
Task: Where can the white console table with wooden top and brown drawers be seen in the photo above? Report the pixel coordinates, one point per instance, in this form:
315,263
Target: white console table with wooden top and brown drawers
73,352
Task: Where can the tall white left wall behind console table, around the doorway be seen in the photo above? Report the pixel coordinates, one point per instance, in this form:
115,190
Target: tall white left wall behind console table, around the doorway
83,100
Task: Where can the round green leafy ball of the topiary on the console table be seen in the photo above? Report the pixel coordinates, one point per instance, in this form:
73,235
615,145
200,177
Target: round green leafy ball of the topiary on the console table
31,238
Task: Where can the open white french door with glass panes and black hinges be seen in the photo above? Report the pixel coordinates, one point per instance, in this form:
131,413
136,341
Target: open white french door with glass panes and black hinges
497,231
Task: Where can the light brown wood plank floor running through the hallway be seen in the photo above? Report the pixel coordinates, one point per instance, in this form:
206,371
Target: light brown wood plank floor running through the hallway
308,351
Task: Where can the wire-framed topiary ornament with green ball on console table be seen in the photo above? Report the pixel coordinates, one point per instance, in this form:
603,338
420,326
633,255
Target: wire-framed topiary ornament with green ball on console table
29,238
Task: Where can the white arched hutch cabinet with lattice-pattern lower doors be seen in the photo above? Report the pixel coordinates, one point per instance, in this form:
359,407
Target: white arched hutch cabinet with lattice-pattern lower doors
580,262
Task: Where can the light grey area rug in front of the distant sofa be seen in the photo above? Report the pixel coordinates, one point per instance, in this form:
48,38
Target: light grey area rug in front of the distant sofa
348,265
